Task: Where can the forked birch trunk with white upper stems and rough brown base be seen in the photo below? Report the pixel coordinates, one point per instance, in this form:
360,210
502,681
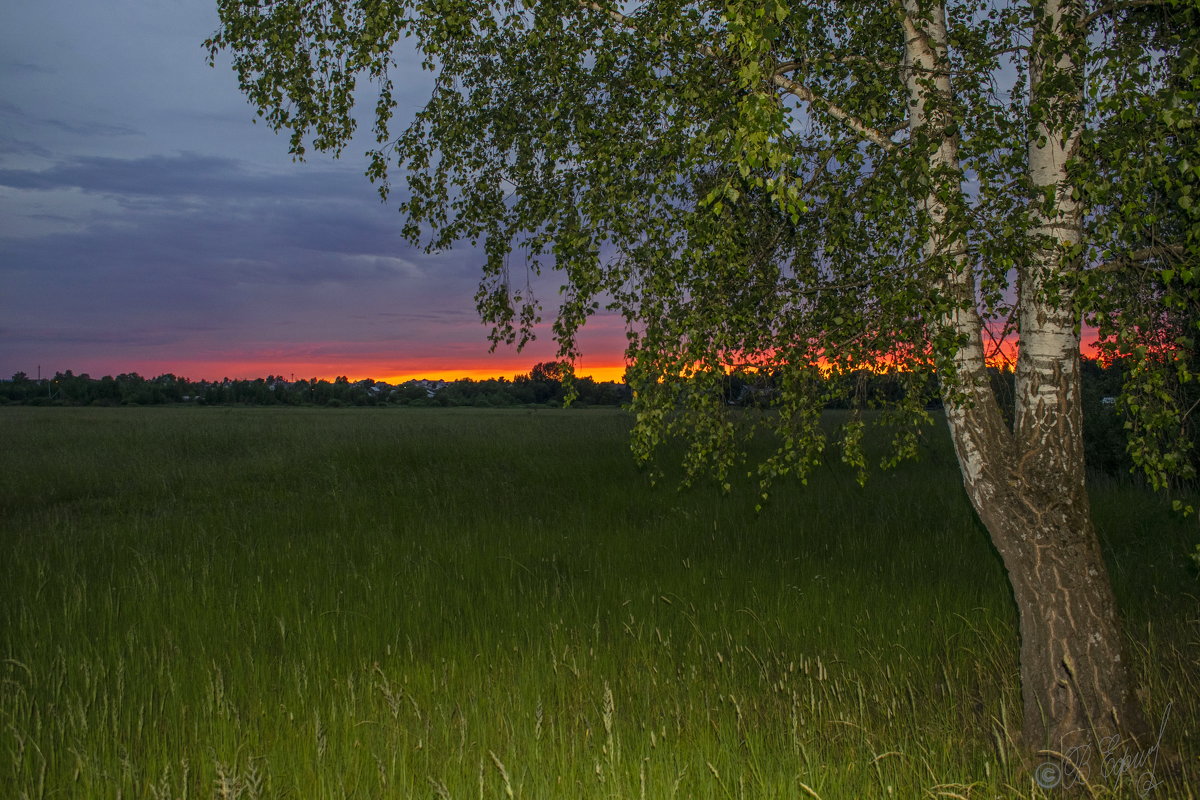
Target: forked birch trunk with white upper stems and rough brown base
1028,483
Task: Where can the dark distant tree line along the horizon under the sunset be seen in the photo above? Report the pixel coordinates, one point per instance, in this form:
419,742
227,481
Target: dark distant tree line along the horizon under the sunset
543,387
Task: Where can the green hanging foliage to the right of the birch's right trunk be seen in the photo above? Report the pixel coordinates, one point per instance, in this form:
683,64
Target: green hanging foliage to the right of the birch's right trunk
1143,182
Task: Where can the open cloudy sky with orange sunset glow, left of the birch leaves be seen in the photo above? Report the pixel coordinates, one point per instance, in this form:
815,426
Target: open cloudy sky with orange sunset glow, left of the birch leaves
147,225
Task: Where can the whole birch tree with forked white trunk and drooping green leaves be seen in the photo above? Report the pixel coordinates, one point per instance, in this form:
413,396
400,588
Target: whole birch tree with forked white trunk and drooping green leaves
797,190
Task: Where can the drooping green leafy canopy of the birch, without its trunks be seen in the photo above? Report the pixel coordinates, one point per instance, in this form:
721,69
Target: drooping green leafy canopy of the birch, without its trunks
746,184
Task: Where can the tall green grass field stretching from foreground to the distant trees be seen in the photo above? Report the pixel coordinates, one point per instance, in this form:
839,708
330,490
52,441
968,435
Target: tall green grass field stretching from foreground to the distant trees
207,603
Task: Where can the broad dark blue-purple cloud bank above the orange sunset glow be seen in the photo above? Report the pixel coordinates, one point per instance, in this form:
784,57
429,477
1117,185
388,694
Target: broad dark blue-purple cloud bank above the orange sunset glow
214,255
